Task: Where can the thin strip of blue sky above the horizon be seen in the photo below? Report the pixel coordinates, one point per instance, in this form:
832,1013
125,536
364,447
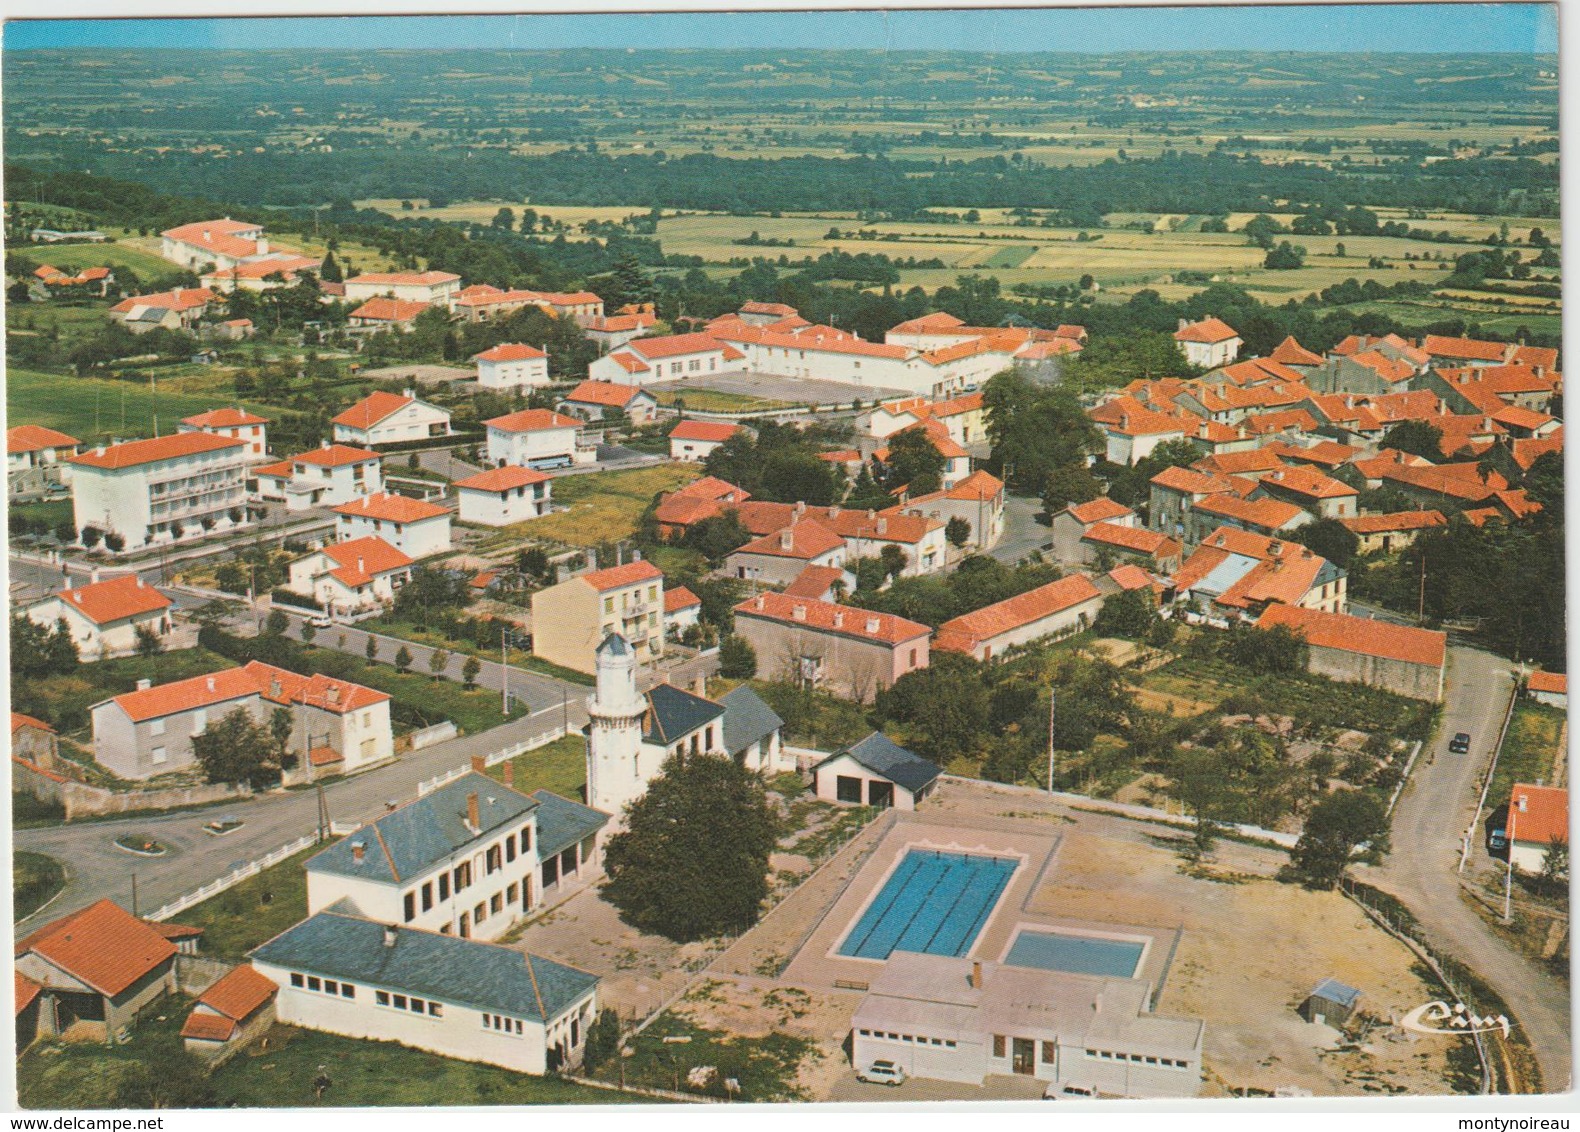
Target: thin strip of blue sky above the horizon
1507,28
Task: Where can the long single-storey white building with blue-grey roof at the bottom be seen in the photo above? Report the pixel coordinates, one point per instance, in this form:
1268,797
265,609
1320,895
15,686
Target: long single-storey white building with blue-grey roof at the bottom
459,998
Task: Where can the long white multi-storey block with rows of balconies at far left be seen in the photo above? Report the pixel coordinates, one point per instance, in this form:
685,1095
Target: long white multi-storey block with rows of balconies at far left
162,489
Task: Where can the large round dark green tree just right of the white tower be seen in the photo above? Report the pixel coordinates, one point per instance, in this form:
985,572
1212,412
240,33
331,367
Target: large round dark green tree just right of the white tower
693,861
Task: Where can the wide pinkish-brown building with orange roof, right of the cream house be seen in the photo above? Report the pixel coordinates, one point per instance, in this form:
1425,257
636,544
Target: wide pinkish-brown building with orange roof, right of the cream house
846,651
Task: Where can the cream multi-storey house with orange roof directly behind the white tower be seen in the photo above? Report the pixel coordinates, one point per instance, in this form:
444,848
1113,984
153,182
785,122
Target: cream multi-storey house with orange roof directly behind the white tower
574,617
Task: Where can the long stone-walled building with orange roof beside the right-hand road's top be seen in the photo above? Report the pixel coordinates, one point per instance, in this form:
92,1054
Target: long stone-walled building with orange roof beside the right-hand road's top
1361,651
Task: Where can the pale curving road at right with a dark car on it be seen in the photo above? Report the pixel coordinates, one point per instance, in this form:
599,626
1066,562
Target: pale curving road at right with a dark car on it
1434,813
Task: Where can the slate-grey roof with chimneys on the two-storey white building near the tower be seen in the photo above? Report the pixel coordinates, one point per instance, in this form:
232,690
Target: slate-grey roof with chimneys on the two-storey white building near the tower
415,839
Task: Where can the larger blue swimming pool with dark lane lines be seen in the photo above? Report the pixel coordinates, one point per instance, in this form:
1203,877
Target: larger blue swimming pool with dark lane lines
933,902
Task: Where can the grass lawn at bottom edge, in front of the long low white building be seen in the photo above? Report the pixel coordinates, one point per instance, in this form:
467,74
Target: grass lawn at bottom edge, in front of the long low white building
374,1074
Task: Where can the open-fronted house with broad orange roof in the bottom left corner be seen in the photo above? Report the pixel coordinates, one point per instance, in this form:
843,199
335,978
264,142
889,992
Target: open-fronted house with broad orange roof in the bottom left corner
94,972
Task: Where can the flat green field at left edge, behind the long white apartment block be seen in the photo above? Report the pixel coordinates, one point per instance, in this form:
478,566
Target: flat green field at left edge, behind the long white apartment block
97,409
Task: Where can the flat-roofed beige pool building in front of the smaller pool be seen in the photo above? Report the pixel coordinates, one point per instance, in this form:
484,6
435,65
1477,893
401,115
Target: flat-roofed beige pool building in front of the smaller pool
957,1019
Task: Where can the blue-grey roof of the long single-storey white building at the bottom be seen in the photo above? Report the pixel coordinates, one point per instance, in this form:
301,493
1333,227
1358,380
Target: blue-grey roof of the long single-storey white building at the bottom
429,965
